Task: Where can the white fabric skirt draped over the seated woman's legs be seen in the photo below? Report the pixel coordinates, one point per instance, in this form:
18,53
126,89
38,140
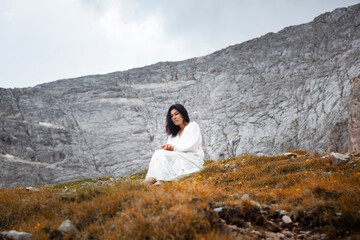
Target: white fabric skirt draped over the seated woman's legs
170,165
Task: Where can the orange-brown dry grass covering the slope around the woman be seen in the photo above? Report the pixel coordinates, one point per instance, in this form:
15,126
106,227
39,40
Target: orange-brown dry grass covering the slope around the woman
183,209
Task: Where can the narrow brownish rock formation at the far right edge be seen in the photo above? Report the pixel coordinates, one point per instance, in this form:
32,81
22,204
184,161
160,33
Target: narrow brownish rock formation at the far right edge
354,116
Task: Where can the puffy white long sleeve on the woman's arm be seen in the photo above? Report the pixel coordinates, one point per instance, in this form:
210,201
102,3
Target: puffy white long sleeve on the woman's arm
190,140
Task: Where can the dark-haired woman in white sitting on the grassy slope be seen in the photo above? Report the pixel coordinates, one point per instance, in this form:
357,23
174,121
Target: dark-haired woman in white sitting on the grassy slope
182,154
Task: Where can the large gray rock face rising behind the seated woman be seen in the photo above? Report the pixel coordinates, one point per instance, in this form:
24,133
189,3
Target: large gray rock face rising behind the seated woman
283,90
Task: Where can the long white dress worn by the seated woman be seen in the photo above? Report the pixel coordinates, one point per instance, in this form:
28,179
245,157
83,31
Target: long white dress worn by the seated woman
187,157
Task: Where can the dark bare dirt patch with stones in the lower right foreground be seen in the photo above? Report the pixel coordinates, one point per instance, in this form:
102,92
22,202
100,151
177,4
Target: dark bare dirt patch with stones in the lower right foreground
322,222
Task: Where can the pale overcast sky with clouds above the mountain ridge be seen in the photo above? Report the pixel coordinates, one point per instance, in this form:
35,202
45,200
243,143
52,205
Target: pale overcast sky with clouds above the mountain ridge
47,40
